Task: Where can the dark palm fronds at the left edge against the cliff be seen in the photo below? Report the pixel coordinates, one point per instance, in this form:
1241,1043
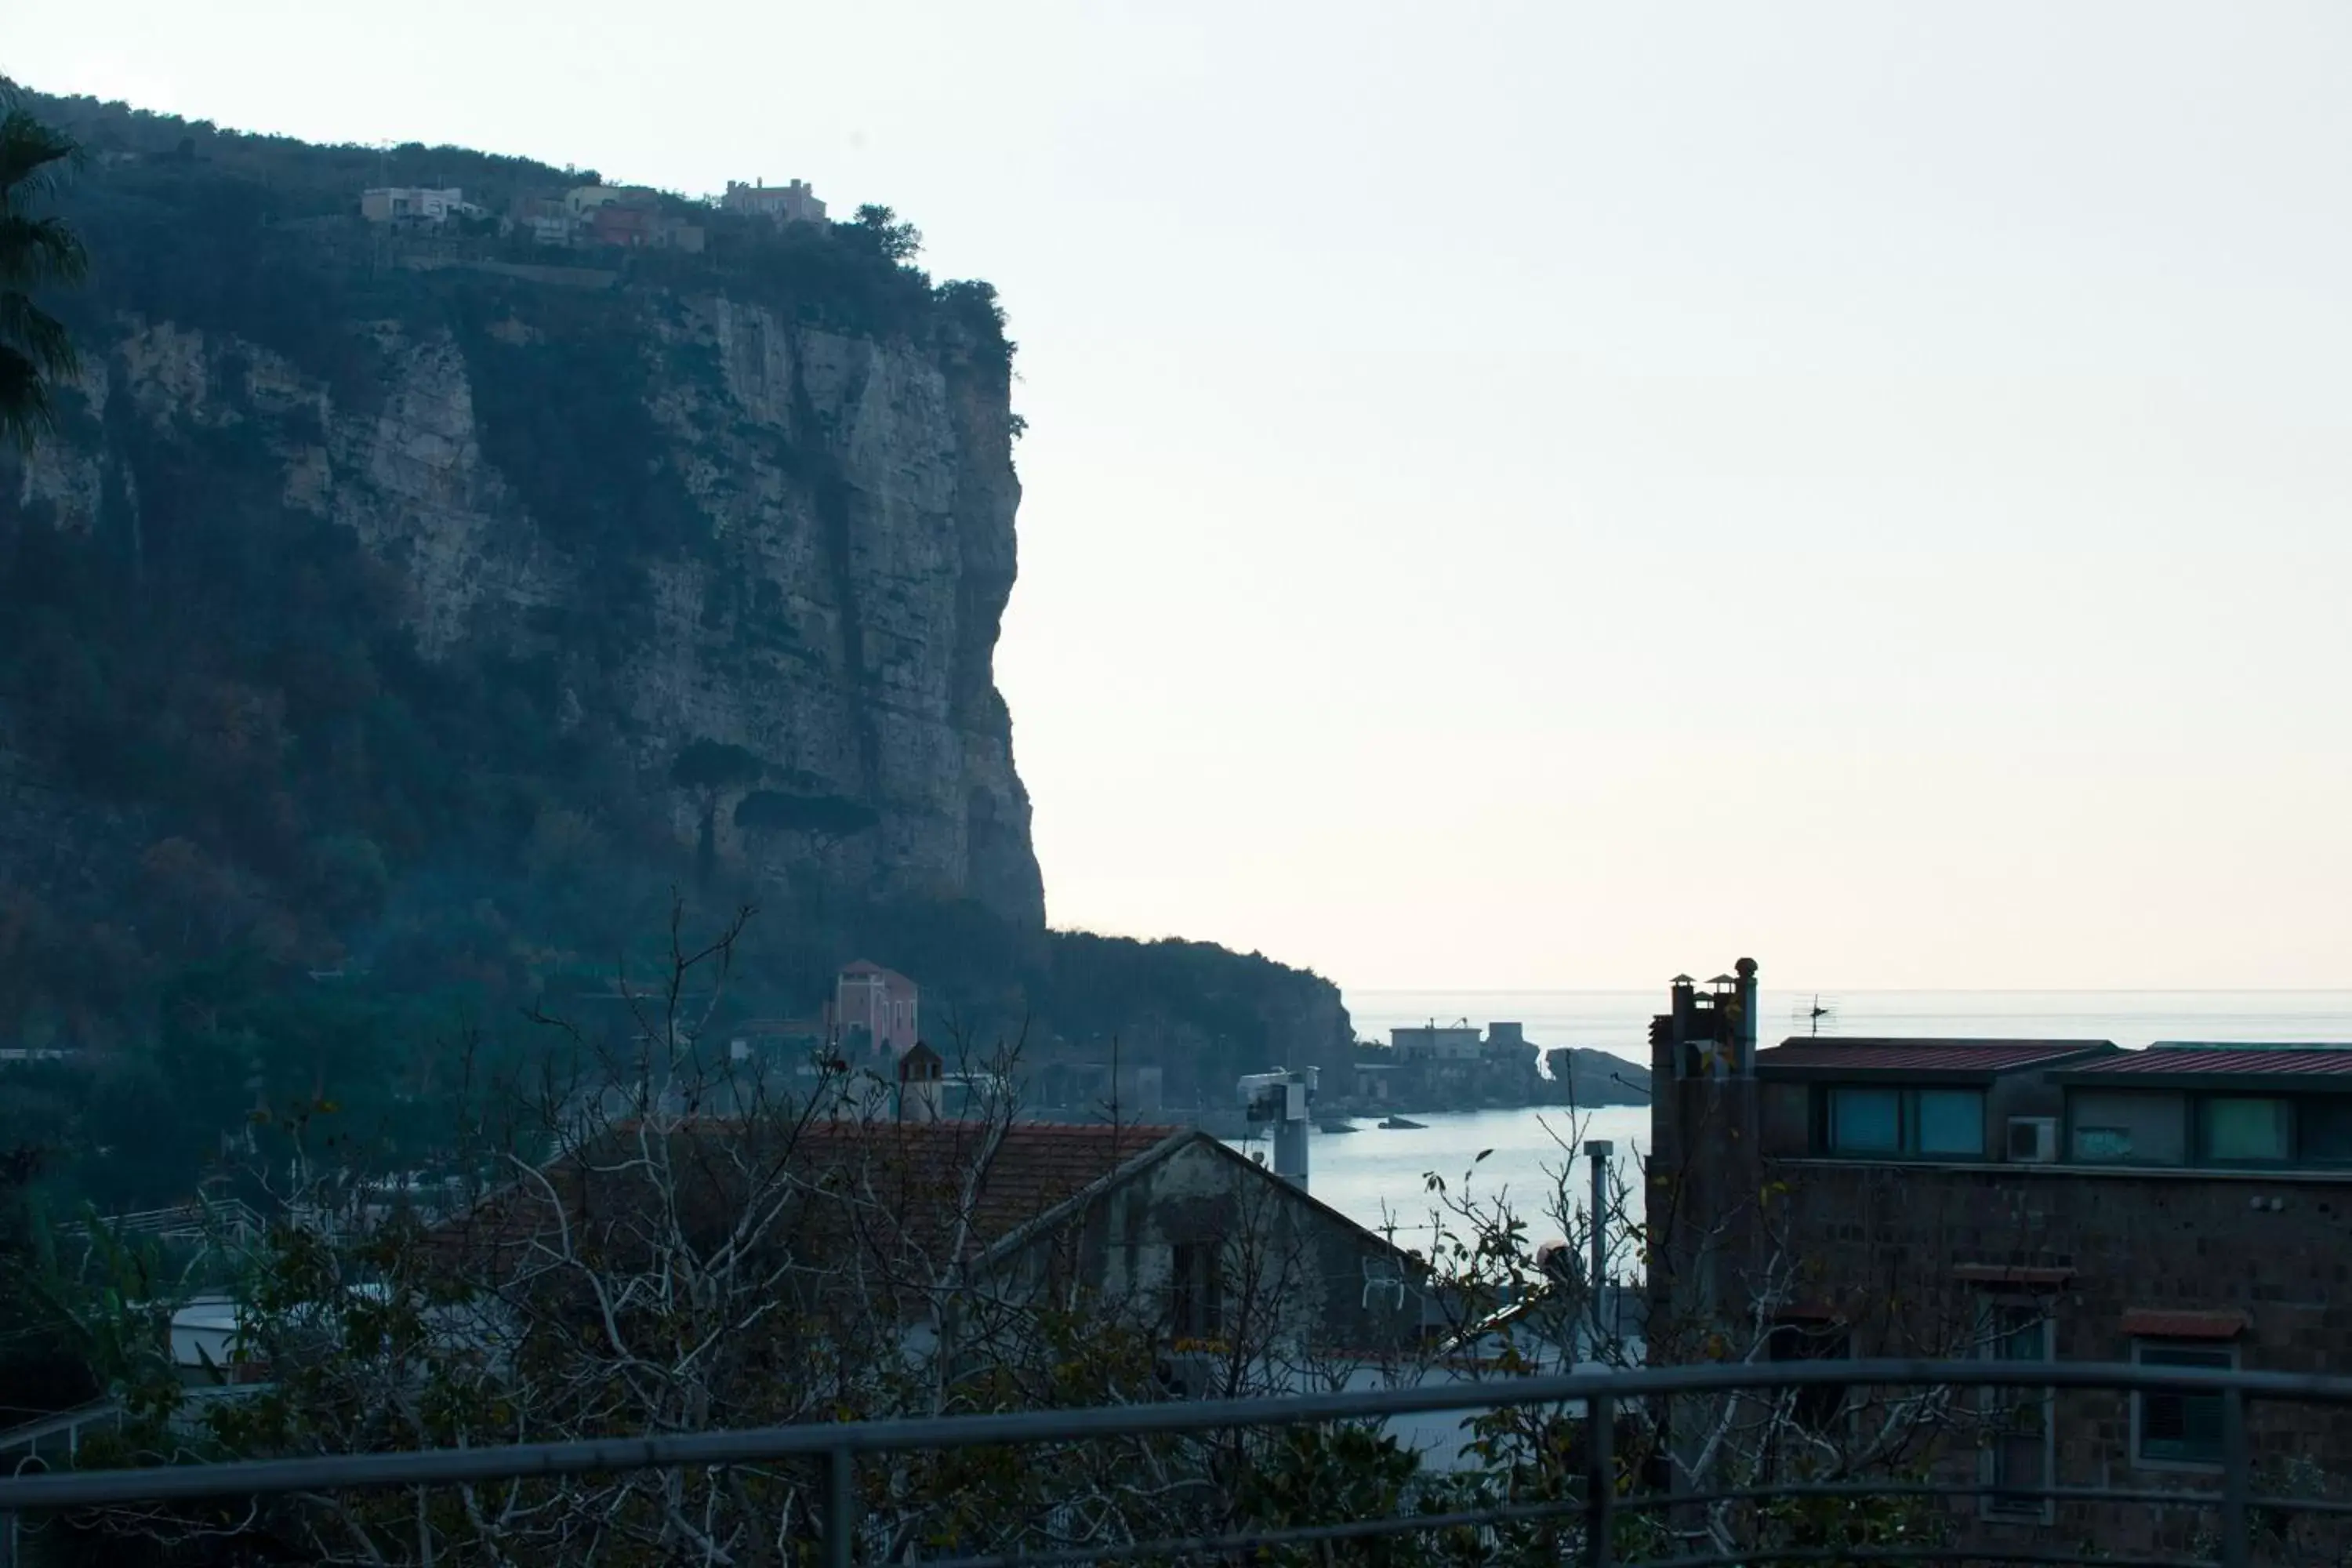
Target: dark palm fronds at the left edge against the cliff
34,253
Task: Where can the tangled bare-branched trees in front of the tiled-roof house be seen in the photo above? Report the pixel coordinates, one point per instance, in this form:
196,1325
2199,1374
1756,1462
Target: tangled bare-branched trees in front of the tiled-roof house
667,1238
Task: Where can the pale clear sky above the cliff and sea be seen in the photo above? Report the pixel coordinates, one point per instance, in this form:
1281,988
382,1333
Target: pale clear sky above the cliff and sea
1558,495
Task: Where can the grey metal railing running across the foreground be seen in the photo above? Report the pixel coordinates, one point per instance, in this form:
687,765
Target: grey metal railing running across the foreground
1596,1513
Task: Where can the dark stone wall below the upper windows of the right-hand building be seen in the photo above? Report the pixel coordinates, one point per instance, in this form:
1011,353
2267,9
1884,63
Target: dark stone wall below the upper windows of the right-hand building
2094,1249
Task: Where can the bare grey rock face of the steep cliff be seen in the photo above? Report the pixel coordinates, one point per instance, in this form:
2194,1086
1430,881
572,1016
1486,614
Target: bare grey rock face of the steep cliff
803,537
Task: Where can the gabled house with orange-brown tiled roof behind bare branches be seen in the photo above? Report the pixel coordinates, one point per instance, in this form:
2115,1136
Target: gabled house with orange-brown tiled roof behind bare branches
1158,1228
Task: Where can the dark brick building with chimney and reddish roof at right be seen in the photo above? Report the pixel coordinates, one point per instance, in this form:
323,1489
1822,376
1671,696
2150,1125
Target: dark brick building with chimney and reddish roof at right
2026,1200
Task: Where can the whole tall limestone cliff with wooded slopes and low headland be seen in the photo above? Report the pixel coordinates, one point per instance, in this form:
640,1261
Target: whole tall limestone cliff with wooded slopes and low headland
382,579
